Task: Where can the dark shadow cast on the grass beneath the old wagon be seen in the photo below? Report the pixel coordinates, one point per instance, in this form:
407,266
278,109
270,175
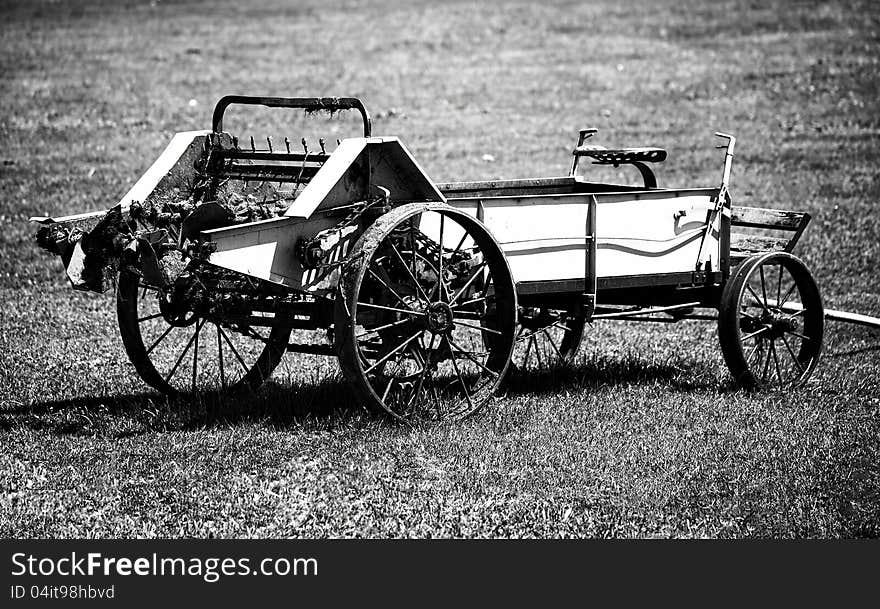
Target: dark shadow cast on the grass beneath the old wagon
322,405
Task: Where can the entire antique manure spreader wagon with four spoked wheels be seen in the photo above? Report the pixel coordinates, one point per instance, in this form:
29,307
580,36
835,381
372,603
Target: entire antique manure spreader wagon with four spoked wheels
226,255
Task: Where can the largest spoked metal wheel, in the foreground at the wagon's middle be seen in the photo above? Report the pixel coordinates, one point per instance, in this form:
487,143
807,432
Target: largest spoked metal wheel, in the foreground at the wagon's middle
425,284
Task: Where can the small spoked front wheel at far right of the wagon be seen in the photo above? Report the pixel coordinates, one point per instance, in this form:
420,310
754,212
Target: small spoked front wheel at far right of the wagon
771,322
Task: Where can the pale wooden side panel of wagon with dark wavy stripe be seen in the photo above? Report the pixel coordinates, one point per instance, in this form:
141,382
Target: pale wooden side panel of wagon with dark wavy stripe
562,242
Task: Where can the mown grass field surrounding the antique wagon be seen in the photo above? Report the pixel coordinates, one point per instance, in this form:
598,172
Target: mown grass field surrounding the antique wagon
644,437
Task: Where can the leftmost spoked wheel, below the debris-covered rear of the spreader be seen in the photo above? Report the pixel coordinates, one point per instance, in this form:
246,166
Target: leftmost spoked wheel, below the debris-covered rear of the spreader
186,353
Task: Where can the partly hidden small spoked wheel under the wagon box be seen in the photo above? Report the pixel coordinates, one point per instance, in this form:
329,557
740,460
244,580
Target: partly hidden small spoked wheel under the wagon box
546,339
